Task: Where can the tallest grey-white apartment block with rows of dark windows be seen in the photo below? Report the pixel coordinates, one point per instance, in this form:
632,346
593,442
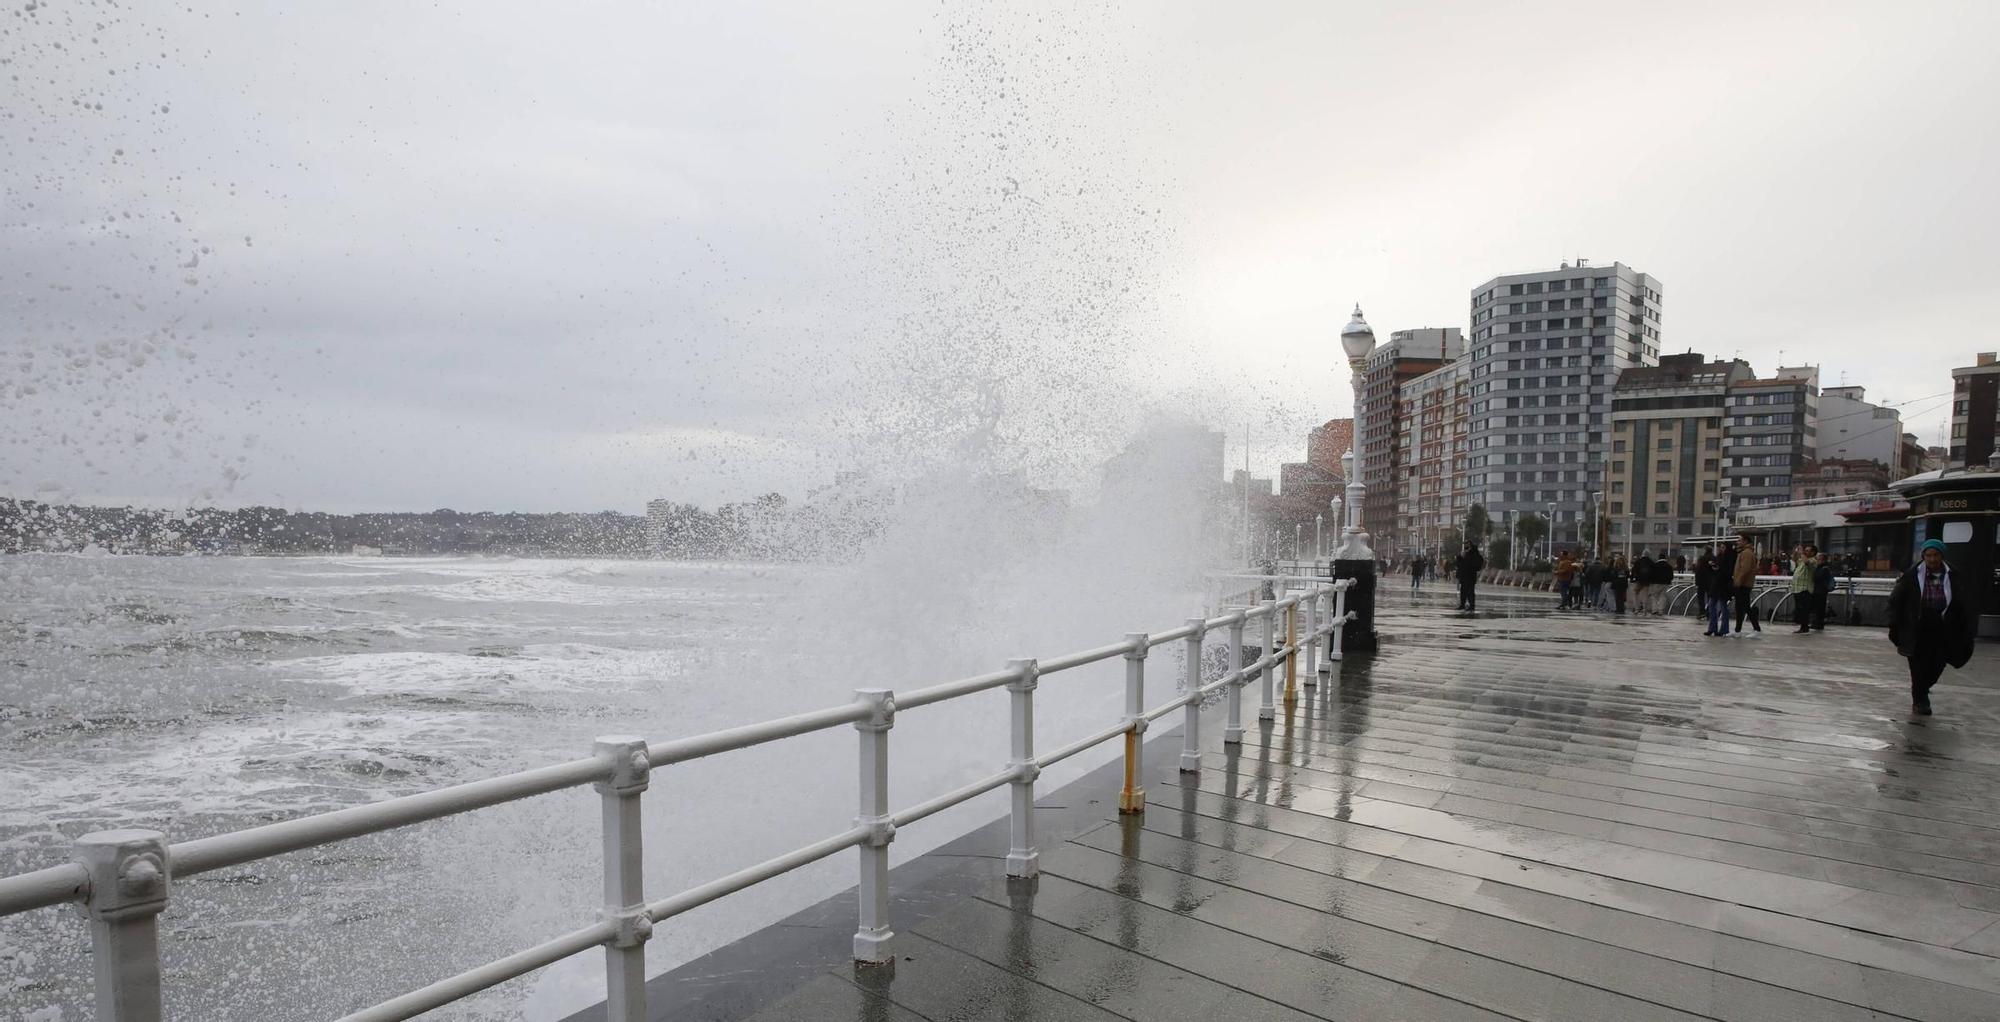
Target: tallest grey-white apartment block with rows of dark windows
1547,351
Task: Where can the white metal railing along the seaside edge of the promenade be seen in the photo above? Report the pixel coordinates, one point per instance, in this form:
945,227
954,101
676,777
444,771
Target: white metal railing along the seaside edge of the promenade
123,879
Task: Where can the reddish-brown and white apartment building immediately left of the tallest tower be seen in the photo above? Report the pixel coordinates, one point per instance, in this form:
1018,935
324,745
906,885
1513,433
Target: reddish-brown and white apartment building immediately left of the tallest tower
1433,483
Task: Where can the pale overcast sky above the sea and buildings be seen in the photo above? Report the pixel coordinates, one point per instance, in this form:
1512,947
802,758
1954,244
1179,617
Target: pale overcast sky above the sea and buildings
577,257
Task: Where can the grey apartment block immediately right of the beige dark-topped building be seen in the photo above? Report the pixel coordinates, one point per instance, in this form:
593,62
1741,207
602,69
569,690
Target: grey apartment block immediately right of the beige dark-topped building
1771,433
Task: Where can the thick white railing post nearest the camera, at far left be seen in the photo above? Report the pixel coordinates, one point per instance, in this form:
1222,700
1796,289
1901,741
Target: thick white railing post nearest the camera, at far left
129,883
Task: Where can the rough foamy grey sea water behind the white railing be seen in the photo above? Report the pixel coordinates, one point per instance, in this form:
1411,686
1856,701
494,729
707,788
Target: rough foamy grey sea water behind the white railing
207,695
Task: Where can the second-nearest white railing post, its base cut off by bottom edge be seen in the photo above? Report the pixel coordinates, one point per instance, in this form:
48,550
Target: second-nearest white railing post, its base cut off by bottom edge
625,877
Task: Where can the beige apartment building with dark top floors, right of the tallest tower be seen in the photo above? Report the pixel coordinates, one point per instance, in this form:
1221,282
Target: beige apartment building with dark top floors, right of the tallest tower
1665,471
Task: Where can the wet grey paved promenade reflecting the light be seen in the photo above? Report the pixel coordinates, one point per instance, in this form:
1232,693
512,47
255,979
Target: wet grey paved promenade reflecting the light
1523,815
